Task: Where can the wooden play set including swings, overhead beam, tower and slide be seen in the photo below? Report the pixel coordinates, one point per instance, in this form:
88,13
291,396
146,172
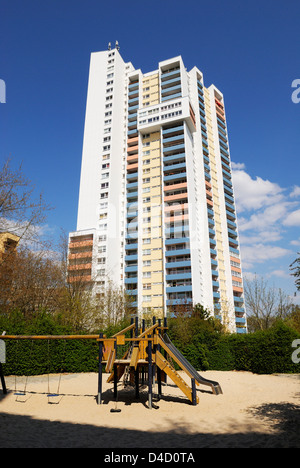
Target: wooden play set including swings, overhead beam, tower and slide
149,358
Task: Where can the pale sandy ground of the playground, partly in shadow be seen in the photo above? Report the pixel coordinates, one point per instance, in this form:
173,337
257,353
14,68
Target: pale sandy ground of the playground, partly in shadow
253,411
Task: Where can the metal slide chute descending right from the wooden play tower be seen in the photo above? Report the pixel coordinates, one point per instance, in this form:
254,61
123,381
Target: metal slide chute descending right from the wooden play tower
187,367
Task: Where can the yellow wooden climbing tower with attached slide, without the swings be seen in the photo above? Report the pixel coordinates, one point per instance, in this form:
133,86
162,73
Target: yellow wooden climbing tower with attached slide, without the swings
149,356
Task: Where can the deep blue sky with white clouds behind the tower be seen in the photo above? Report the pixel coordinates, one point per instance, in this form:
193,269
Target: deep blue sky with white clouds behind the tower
248,49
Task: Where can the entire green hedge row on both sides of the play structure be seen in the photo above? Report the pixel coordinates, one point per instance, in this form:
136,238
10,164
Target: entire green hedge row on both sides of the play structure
201,341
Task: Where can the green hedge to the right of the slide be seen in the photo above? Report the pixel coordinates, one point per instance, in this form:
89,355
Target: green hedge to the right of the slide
264,352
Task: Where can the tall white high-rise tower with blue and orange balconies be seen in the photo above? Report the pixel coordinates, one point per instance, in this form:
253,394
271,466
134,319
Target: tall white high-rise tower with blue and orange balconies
156,208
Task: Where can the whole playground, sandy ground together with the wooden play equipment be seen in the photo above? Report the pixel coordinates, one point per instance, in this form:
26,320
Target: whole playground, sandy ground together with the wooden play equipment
146,395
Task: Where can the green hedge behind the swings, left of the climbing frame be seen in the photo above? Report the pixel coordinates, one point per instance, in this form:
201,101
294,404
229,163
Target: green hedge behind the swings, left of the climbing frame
35,357
